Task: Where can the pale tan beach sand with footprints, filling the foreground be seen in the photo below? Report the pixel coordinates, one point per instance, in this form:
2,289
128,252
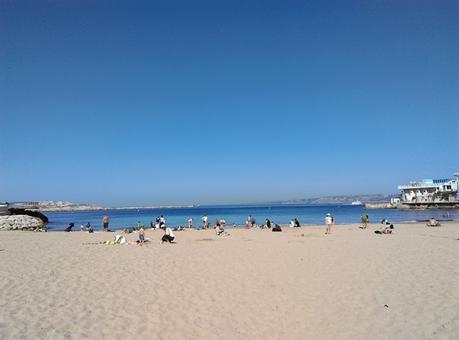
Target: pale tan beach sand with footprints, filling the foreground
254,284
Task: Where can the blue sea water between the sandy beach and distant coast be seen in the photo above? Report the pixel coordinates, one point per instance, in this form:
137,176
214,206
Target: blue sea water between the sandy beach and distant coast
237,215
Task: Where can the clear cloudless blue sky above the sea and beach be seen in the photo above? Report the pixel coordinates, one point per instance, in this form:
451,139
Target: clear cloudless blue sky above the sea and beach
212,102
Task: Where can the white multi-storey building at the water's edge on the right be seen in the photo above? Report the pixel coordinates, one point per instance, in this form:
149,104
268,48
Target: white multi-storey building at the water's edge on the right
430,191
